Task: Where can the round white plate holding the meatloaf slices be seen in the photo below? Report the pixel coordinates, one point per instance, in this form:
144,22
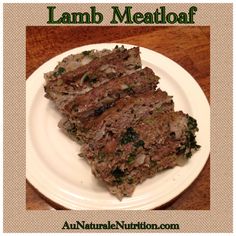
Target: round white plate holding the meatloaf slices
55,169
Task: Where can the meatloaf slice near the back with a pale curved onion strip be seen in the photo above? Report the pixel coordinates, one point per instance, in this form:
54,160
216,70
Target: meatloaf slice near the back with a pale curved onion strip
62,87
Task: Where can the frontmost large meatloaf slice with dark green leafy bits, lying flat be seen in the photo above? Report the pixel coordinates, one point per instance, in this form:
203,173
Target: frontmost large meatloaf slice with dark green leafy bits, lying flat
140,151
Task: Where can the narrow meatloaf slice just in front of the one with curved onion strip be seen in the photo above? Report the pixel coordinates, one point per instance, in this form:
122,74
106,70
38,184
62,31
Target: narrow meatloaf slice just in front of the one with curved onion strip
99,99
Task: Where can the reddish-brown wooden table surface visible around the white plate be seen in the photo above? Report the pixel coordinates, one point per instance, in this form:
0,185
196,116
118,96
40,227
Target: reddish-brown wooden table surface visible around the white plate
188,46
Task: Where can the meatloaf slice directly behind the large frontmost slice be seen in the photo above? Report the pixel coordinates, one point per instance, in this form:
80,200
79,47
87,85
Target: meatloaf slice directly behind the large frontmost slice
127,111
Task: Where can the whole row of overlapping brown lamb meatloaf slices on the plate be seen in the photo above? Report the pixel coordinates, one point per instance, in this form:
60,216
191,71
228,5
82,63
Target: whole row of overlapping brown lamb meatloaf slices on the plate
126,126
